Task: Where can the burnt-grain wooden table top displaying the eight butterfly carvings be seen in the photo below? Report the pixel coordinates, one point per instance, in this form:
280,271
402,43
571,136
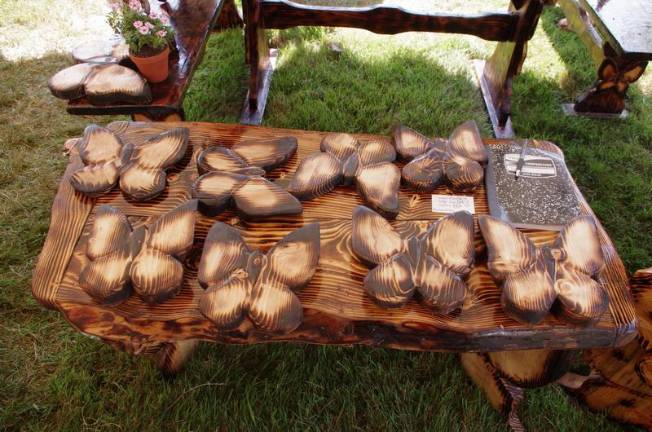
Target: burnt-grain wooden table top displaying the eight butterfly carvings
336,308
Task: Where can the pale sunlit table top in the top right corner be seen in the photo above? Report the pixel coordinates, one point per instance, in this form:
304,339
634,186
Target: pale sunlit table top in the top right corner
627,24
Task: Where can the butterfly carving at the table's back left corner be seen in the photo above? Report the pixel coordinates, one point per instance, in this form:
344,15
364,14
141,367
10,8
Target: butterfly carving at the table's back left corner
141,169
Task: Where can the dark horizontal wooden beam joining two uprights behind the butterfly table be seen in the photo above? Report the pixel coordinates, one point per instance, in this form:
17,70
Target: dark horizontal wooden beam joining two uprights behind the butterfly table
282,14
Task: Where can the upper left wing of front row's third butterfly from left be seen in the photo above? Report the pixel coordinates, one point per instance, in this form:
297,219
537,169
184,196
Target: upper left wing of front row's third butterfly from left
373,239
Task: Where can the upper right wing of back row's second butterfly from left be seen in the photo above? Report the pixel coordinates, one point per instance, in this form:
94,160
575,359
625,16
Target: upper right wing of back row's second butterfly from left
266,153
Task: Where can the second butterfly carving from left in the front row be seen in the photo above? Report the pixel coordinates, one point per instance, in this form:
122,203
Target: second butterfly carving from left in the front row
241,282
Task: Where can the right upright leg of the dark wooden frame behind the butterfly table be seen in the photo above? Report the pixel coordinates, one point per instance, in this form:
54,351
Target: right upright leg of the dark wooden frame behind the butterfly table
496,74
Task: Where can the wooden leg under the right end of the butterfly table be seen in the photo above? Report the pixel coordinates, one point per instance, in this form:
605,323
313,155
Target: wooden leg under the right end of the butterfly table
503,376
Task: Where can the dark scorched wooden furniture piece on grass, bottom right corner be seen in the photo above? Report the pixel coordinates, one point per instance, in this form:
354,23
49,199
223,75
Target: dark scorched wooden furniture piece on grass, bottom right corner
620,382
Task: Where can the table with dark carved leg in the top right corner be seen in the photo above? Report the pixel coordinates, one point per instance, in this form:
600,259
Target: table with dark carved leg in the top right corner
619,37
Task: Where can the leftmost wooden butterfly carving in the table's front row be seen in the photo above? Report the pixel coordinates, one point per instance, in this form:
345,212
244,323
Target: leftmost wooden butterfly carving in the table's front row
146,259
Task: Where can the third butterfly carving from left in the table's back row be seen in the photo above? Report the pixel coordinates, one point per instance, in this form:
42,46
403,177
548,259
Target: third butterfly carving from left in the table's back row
344,160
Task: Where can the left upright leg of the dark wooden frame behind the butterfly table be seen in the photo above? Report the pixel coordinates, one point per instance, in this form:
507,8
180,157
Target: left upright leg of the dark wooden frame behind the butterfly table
261,63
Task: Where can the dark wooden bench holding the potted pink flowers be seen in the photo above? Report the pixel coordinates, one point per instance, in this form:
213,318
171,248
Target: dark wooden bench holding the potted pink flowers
192,20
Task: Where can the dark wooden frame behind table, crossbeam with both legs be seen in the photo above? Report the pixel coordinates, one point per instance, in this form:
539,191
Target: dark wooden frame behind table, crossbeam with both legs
511,29
